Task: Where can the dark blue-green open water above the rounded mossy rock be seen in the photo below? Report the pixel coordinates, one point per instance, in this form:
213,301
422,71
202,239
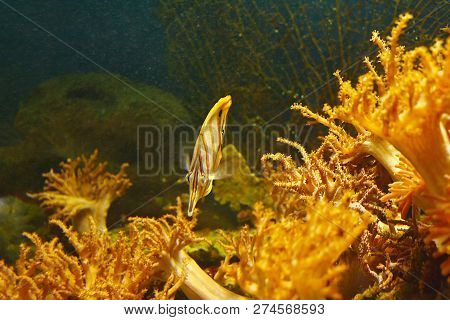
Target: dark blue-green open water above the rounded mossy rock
123,37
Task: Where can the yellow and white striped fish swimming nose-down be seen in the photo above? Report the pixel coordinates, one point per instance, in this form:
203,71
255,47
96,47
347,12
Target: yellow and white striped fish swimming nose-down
207,153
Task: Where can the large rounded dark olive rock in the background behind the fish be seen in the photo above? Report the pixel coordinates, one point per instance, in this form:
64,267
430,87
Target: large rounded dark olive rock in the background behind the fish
76,114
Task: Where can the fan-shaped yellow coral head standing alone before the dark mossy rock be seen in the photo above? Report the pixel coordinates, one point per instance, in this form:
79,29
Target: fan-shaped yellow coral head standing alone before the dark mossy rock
83,190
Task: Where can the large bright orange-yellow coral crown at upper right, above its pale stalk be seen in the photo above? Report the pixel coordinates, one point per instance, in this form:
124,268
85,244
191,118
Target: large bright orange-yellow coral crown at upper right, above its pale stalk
408,106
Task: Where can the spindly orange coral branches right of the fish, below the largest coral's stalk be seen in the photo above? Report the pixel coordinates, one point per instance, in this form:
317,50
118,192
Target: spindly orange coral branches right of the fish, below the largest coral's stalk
324,177
